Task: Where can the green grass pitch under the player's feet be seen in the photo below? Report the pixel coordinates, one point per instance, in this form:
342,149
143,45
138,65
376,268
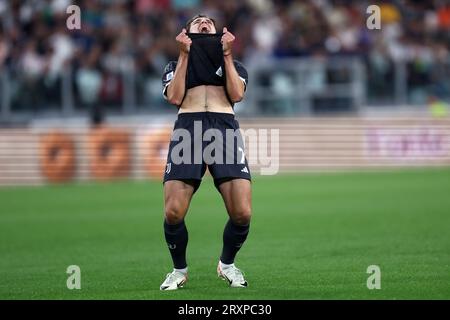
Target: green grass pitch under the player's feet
312,237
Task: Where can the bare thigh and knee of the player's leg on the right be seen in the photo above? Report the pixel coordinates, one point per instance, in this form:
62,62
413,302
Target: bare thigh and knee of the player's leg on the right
237,195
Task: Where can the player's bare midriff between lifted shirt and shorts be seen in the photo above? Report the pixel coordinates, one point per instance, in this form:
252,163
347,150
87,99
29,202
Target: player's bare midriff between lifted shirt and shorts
206,99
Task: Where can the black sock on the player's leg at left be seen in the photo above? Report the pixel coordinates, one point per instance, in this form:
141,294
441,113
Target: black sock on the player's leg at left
177,238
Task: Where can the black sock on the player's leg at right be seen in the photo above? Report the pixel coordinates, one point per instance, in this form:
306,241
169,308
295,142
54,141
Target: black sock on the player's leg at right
233,238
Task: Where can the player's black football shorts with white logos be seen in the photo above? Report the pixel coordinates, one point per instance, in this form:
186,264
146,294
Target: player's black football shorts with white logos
209,140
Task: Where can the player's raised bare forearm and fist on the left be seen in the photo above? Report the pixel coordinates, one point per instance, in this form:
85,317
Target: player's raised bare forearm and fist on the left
177,86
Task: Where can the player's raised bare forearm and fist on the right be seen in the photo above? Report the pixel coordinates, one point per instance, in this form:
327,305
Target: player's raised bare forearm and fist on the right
234,84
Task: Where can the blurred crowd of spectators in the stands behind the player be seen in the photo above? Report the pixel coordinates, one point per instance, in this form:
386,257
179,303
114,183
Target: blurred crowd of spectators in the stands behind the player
120,36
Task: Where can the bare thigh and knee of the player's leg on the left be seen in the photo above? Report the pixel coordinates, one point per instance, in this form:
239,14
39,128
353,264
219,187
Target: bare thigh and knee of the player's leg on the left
177,197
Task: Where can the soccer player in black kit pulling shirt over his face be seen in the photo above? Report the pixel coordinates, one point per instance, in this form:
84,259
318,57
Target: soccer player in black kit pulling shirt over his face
204,84
